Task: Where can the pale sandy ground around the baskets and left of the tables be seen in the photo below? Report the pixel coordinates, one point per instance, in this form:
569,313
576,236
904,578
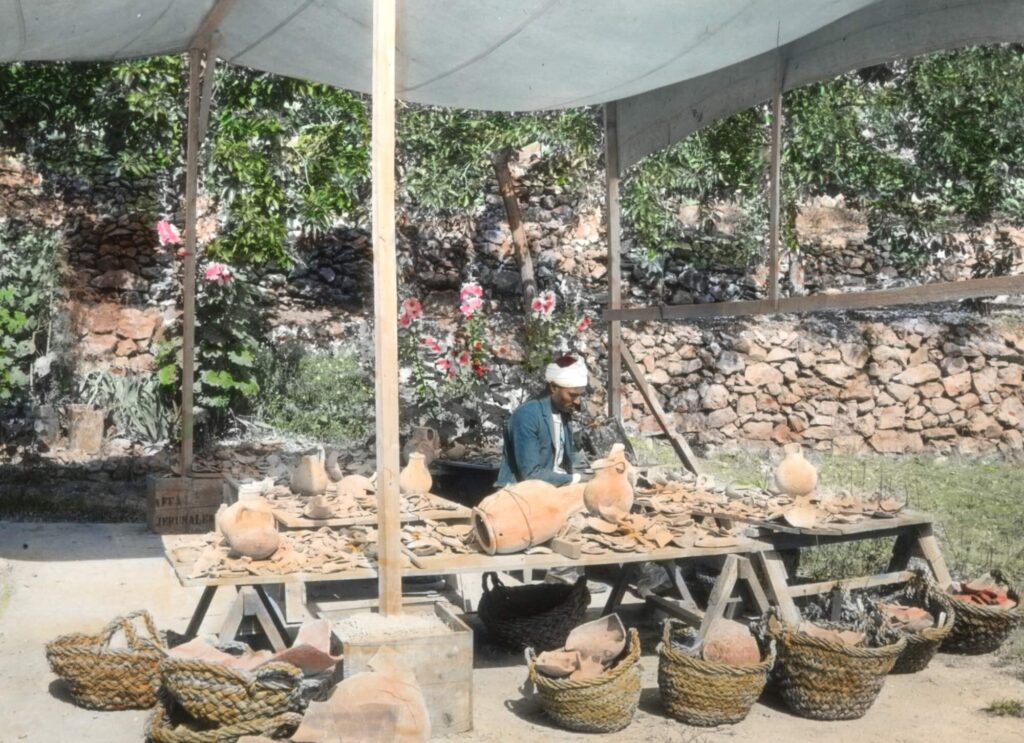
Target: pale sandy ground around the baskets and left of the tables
57,579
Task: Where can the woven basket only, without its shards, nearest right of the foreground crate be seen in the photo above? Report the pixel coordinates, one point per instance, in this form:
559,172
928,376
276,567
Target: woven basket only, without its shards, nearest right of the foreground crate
605,705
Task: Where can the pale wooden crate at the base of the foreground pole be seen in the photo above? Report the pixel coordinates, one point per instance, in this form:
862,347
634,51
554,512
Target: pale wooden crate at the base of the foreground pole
443,665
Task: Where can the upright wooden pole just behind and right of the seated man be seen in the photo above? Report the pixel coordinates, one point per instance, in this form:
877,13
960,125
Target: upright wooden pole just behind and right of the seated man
615,260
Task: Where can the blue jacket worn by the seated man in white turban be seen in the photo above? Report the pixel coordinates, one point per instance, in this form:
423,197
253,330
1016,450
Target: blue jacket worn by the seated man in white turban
529,452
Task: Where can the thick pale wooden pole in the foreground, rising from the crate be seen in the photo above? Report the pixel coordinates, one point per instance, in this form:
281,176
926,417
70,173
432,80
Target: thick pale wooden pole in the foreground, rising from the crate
386,310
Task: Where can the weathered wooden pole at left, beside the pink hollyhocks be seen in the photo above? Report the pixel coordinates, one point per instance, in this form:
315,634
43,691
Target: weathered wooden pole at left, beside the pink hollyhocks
189,281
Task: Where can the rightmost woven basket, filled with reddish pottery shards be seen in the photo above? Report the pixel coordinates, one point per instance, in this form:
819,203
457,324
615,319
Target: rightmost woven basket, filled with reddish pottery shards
988,610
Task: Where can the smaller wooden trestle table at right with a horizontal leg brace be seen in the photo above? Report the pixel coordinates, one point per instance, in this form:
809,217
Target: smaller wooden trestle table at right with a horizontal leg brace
914,538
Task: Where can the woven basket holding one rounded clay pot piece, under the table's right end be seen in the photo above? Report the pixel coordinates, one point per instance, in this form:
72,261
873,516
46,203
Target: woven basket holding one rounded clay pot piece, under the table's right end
715,682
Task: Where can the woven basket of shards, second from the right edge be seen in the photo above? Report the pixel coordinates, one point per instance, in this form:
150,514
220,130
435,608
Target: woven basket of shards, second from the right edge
924,616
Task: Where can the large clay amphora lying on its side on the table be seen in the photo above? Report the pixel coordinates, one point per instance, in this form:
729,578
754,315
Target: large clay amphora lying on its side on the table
522,516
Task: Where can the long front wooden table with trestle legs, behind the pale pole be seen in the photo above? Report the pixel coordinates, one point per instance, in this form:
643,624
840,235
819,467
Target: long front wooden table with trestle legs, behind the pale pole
253,600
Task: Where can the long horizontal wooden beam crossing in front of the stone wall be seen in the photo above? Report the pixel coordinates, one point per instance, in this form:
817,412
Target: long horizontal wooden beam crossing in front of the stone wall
925,294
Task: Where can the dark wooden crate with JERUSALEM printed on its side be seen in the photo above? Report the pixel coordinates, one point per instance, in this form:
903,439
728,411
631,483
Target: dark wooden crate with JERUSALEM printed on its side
183,505
